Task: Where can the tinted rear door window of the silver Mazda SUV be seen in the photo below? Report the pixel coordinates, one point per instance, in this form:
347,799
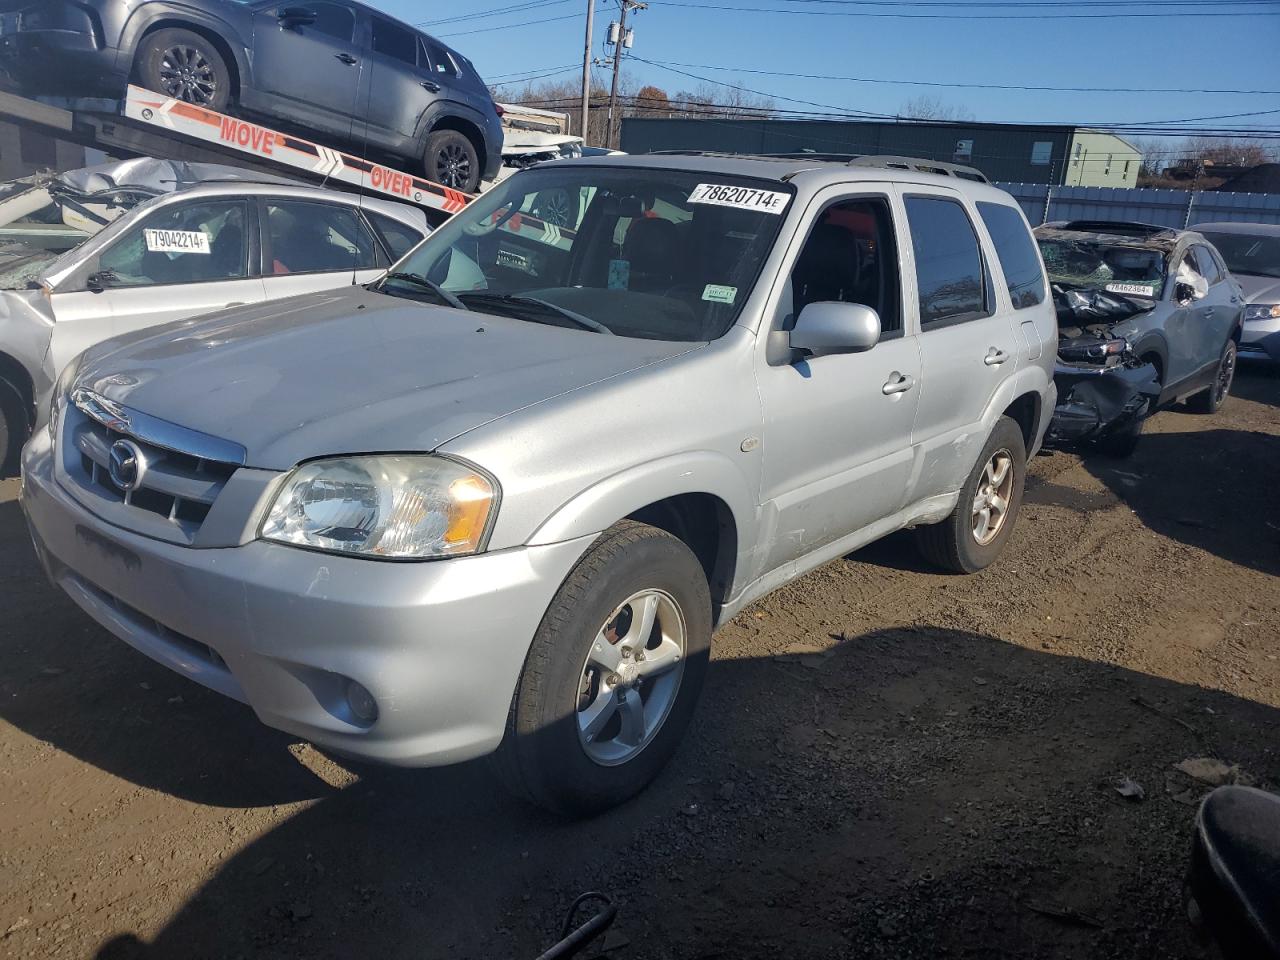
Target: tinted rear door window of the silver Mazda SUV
949,272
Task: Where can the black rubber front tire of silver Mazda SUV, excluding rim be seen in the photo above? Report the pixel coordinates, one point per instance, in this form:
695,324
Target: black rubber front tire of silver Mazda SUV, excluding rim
543,758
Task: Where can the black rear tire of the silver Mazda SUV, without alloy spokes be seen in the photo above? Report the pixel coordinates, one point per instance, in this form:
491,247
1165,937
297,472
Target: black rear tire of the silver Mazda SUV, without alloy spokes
954,545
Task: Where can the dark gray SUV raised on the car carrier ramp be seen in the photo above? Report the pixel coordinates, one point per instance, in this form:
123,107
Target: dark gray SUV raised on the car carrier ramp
331,68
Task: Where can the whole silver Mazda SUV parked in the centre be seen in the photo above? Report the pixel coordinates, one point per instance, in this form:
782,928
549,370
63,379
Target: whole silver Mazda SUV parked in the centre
500,499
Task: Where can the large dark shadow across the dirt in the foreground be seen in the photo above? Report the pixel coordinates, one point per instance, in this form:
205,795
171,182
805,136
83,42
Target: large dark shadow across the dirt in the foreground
918,793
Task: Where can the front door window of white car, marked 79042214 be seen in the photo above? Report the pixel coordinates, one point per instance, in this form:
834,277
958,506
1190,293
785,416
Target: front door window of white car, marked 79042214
199,243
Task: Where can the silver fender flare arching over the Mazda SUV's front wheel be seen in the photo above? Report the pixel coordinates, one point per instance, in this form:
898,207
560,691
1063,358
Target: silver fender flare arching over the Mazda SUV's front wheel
621,495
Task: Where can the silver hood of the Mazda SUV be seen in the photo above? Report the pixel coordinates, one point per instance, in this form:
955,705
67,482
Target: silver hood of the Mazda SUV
353,372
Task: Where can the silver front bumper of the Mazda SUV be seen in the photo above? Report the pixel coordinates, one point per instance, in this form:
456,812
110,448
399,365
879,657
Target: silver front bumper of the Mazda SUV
438,644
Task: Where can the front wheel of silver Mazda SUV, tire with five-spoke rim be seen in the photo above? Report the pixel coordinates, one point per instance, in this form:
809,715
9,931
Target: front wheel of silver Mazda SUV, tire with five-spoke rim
546,756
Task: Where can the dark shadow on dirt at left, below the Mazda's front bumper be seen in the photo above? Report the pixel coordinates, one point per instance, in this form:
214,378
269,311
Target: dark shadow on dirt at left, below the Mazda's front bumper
67,682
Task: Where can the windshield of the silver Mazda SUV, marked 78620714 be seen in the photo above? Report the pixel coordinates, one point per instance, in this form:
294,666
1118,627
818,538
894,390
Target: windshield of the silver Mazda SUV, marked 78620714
629,252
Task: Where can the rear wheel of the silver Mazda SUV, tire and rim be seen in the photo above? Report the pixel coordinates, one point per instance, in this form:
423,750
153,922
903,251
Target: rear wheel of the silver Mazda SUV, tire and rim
982,523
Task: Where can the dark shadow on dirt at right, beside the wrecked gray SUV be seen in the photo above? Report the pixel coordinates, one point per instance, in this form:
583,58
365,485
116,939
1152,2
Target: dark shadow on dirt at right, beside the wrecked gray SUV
1232,516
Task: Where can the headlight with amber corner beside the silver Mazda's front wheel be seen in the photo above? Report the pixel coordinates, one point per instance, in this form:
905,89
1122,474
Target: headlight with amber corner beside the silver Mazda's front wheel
386,506
